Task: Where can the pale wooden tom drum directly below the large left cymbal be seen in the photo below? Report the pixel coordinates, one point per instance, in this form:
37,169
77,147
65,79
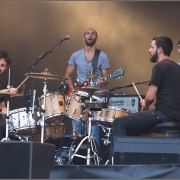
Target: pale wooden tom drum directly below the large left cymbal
54,107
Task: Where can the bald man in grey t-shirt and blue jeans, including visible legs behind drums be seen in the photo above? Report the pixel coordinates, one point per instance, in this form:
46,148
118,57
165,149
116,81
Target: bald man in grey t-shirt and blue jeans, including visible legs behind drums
81,61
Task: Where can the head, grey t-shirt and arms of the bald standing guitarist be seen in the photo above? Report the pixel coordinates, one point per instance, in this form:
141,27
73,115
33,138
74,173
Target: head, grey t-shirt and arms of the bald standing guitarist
81,60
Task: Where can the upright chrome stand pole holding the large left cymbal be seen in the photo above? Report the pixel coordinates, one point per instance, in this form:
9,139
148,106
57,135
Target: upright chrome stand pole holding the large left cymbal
43,110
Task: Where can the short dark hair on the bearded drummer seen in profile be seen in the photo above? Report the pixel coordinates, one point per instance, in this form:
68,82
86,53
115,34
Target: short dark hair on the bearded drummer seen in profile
165,43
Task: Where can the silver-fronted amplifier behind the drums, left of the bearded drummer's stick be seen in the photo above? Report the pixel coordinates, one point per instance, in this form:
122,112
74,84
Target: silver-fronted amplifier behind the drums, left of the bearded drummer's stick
126,102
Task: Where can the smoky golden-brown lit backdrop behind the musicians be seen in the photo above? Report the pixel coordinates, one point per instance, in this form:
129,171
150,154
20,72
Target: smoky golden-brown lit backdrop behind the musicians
125,30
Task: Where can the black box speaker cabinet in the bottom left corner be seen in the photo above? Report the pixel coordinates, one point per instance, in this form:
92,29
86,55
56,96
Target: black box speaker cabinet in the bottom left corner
26,159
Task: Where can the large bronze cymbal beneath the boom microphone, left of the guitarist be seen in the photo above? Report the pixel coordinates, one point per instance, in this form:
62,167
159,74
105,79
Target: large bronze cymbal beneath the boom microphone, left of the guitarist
43,75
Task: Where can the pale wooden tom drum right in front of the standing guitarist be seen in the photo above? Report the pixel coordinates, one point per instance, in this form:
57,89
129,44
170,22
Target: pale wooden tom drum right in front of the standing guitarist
73,106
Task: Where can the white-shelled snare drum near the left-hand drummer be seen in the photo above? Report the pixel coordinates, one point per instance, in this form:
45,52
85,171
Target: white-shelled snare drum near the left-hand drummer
21,122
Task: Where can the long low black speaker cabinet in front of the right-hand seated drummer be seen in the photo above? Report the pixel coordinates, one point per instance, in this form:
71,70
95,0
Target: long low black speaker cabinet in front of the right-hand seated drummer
140,150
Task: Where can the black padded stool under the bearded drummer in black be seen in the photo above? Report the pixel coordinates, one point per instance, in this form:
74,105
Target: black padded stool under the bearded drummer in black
170,129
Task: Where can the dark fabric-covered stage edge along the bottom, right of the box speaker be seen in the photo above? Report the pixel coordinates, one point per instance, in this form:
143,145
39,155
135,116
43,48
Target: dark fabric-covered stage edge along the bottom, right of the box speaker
165,171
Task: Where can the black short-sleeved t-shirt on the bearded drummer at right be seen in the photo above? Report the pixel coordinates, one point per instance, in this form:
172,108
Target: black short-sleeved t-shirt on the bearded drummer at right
166,76
